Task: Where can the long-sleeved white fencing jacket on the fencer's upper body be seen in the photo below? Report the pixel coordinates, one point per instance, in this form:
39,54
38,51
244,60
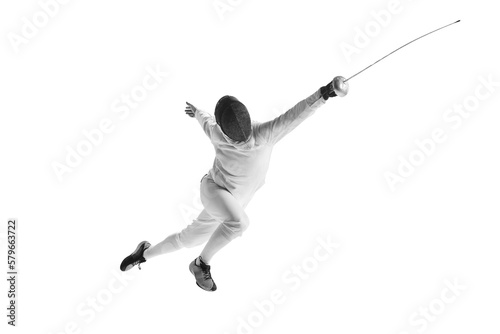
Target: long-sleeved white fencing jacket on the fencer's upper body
241,167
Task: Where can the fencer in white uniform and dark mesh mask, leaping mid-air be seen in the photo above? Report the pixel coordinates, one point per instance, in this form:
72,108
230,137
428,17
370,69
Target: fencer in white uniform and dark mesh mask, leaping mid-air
242,153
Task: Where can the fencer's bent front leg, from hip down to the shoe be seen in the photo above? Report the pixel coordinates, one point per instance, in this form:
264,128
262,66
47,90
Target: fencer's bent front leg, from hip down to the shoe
225,208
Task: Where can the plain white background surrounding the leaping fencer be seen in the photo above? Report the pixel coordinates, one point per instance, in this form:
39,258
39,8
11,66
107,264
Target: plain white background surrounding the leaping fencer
397,248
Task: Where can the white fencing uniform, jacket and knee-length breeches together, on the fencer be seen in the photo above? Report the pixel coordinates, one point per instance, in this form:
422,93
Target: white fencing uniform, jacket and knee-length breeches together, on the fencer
238,171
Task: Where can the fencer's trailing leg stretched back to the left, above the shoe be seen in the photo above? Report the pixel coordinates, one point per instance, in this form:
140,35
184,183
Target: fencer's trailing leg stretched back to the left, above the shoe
194,234
